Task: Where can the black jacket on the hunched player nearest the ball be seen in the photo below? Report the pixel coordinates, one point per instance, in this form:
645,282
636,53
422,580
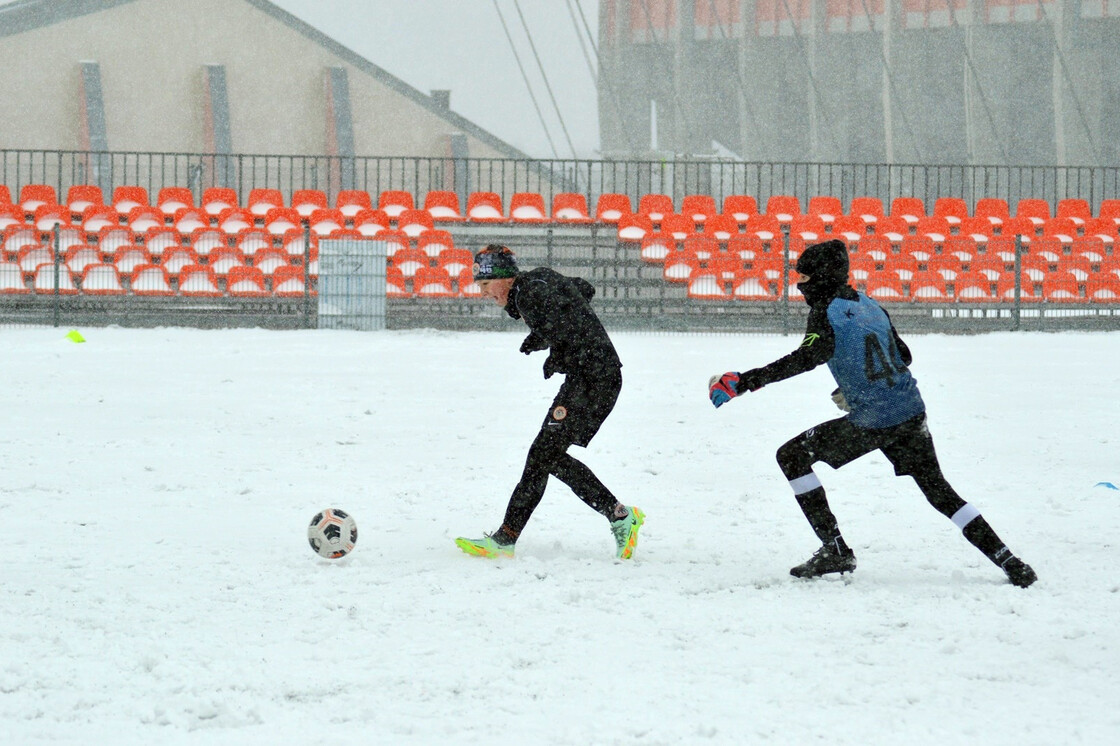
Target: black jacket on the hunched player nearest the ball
561,320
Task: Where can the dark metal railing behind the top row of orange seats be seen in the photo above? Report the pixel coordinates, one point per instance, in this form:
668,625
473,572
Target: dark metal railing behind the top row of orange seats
155,171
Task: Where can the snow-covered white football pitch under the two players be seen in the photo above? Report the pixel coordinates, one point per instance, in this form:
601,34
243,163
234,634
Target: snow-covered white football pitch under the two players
158,588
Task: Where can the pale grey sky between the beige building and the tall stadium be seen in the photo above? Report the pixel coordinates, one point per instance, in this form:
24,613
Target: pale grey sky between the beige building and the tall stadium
461,45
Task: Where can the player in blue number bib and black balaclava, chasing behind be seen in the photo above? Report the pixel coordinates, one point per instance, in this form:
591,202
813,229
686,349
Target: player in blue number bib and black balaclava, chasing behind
855,338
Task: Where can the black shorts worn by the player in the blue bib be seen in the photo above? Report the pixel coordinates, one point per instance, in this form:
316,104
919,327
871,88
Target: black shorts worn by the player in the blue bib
909,446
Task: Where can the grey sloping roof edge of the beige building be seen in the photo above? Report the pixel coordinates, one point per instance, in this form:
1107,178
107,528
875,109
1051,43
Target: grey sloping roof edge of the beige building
30,15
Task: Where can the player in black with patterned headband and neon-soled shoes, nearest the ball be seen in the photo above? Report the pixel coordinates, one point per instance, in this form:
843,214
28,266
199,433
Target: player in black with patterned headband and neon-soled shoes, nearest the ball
561,320
